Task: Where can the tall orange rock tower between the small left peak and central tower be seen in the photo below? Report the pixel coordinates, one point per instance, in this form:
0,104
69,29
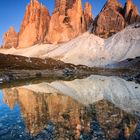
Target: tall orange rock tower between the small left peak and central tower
35,24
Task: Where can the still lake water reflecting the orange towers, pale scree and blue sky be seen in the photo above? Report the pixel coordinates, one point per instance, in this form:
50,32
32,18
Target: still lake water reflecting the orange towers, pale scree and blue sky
98,107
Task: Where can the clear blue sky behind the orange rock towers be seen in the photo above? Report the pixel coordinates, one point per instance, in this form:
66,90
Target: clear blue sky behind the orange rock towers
12,11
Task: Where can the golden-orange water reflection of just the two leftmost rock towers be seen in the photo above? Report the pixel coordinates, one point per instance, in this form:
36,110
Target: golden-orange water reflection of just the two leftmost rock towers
33,108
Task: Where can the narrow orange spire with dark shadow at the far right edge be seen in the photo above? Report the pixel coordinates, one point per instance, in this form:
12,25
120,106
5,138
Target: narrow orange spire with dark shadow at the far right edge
131,14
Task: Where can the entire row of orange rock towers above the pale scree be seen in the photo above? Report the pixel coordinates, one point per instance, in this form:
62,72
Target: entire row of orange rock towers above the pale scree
68,21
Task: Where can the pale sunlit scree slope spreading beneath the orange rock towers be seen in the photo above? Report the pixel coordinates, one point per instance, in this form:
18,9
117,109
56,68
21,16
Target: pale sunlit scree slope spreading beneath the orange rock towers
94,51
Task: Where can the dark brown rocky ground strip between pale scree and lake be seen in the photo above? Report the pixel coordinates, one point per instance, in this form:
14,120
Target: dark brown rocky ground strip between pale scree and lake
13,68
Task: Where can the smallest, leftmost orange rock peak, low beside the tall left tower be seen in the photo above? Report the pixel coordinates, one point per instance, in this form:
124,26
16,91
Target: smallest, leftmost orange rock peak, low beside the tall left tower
10,39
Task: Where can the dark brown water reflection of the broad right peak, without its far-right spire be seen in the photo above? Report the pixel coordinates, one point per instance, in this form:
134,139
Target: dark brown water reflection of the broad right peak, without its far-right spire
109,117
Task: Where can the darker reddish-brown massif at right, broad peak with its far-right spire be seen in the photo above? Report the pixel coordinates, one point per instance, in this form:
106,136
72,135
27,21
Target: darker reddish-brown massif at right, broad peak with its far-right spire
113,18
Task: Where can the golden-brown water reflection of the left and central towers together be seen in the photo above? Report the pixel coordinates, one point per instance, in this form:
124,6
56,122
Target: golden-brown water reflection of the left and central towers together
39,109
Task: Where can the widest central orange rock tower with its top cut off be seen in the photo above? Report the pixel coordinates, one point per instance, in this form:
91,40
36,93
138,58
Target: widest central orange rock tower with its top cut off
67,21
